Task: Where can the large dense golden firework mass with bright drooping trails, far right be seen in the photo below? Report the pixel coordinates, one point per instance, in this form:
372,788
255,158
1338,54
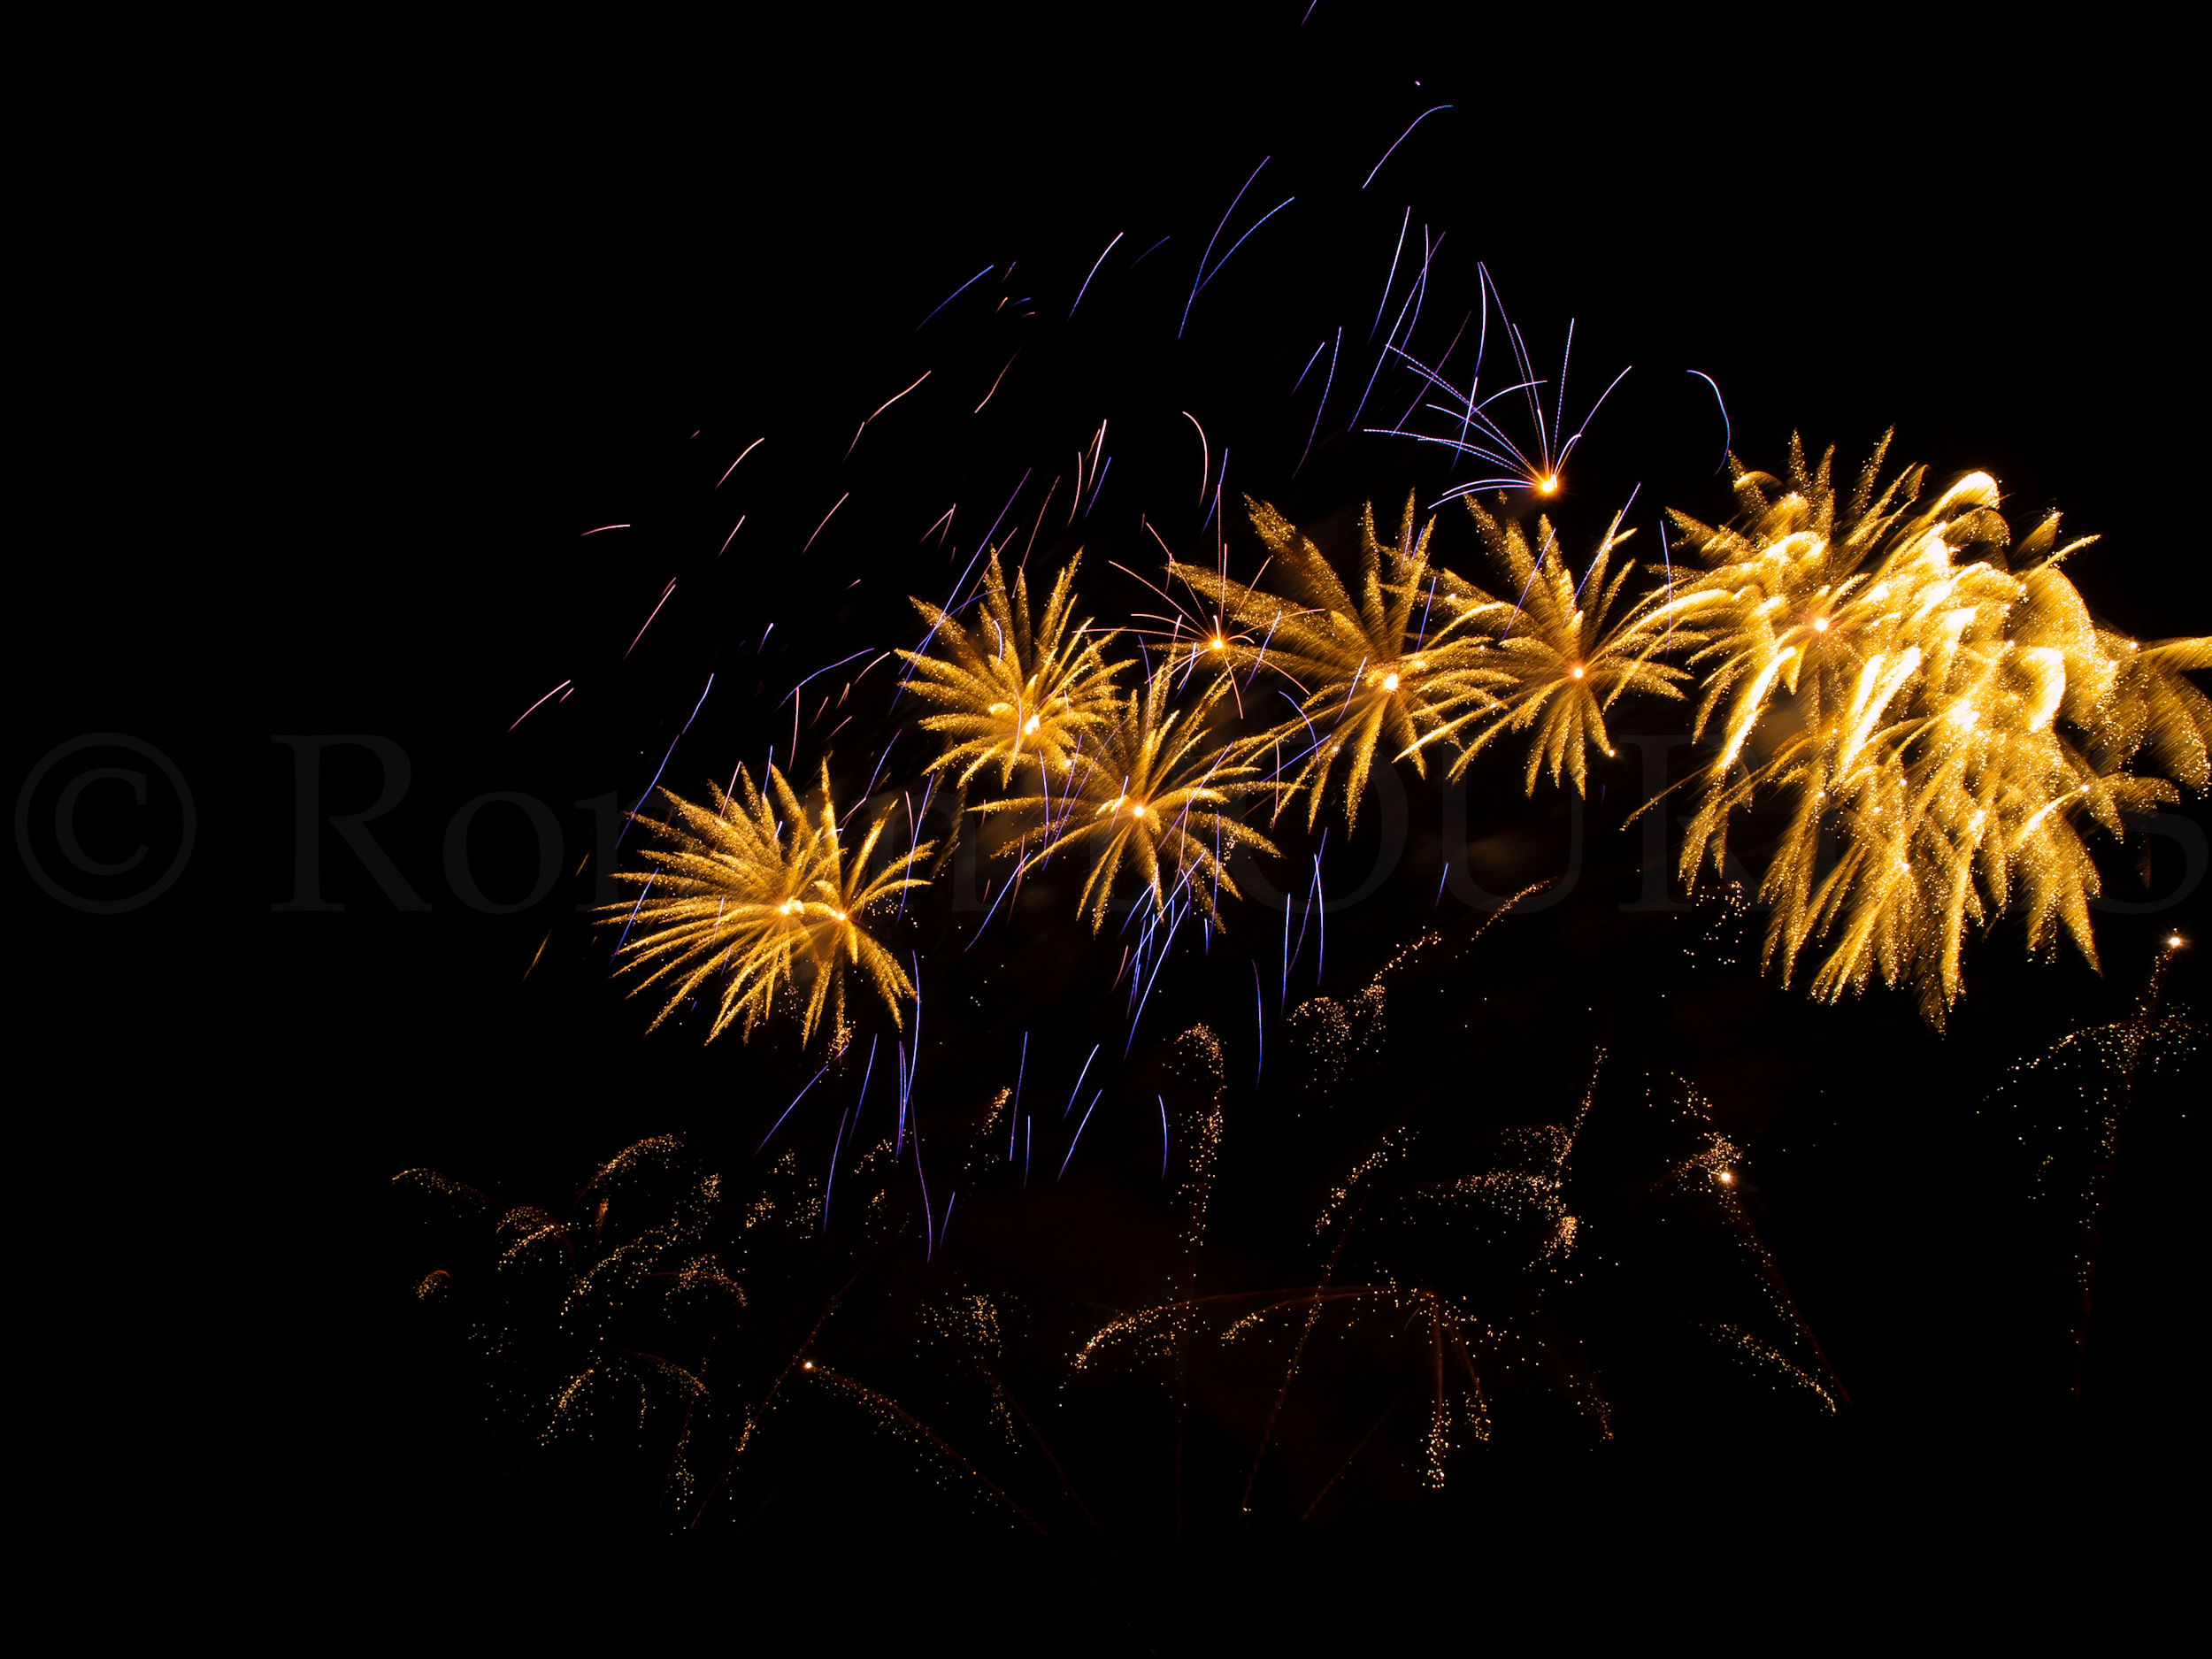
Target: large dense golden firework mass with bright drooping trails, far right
1932,669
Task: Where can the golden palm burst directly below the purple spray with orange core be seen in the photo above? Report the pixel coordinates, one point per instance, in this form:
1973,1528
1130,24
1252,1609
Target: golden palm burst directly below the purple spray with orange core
1550,649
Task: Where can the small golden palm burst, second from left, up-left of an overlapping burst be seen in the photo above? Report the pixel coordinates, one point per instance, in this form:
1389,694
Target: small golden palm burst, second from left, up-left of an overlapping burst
1012,691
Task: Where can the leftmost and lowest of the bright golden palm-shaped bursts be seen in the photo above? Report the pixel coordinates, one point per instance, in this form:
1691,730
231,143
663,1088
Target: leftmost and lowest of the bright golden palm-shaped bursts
758,897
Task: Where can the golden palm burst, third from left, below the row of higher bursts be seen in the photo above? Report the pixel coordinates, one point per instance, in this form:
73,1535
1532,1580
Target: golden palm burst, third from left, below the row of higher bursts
1149,795
